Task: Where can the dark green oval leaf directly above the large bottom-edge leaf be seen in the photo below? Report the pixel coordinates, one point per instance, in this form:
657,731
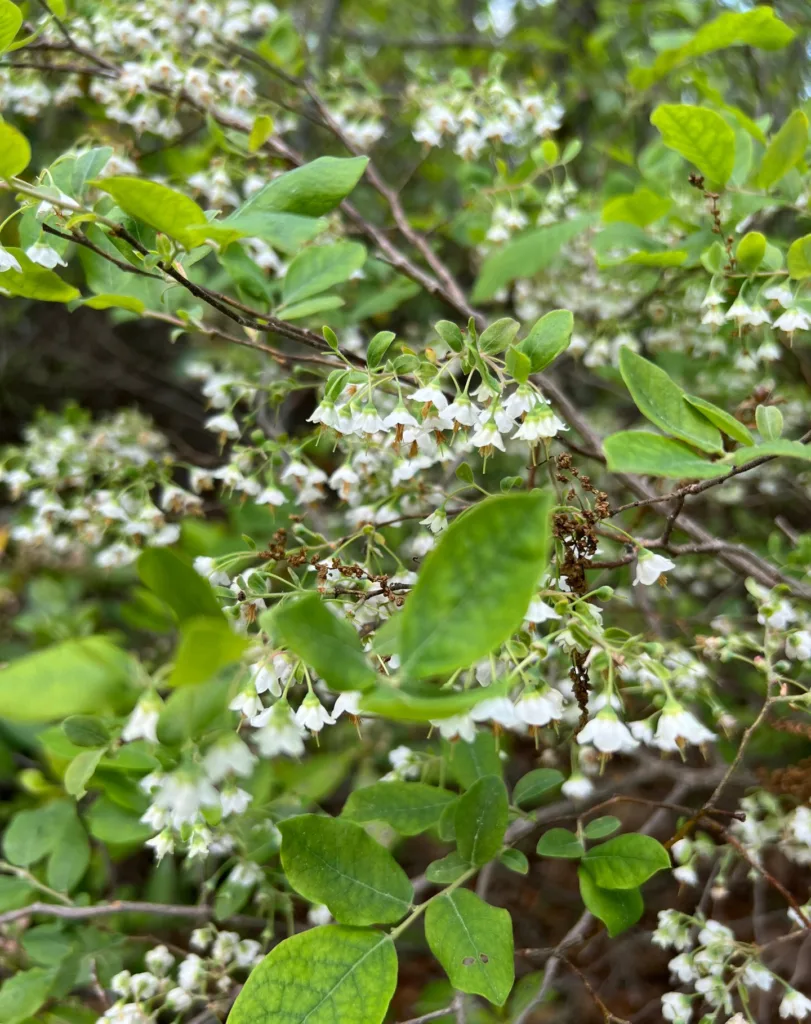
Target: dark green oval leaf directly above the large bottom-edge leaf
336,863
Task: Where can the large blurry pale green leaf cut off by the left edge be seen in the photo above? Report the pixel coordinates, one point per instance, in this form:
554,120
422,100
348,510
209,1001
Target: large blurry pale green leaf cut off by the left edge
70,678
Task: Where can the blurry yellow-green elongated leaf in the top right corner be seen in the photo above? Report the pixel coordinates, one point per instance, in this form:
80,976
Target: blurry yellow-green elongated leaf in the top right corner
760,28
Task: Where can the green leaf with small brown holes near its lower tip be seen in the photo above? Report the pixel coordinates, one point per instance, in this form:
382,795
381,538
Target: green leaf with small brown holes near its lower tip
474,943
